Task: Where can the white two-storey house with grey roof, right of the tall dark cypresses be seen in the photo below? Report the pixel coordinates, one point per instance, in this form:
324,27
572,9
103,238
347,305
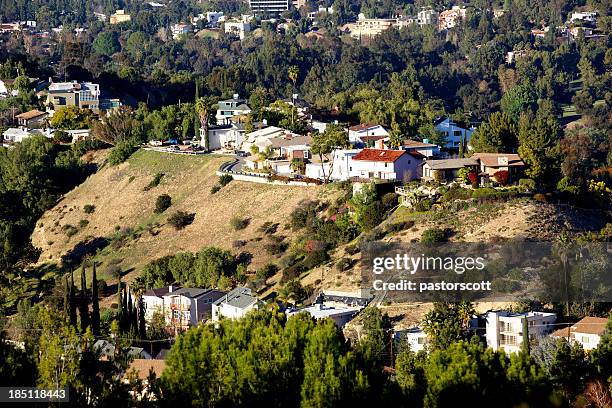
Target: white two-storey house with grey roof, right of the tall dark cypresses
181,307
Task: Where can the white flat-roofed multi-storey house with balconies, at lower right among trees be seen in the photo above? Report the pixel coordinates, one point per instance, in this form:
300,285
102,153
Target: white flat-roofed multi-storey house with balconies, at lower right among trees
504,330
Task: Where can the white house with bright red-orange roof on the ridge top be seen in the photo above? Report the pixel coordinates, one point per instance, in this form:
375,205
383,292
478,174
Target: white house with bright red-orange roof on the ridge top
385,164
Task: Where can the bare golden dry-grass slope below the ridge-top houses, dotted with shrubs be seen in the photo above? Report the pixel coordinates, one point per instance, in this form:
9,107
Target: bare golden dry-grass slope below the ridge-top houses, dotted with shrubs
123,208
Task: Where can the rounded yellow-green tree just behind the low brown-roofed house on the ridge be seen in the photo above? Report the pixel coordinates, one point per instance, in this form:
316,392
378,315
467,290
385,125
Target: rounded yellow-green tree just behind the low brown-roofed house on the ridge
497,135
